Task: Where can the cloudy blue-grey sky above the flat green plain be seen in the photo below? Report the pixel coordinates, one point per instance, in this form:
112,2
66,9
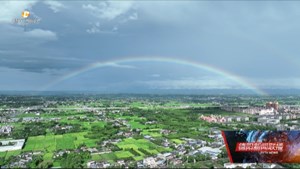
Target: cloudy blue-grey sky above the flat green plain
236,45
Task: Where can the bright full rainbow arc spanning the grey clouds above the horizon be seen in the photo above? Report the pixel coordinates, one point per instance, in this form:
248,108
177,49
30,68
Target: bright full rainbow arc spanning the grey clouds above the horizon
118,63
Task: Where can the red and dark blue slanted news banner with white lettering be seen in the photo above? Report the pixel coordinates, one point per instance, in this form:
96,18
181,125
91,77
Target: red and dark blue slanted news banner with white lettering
254,146
